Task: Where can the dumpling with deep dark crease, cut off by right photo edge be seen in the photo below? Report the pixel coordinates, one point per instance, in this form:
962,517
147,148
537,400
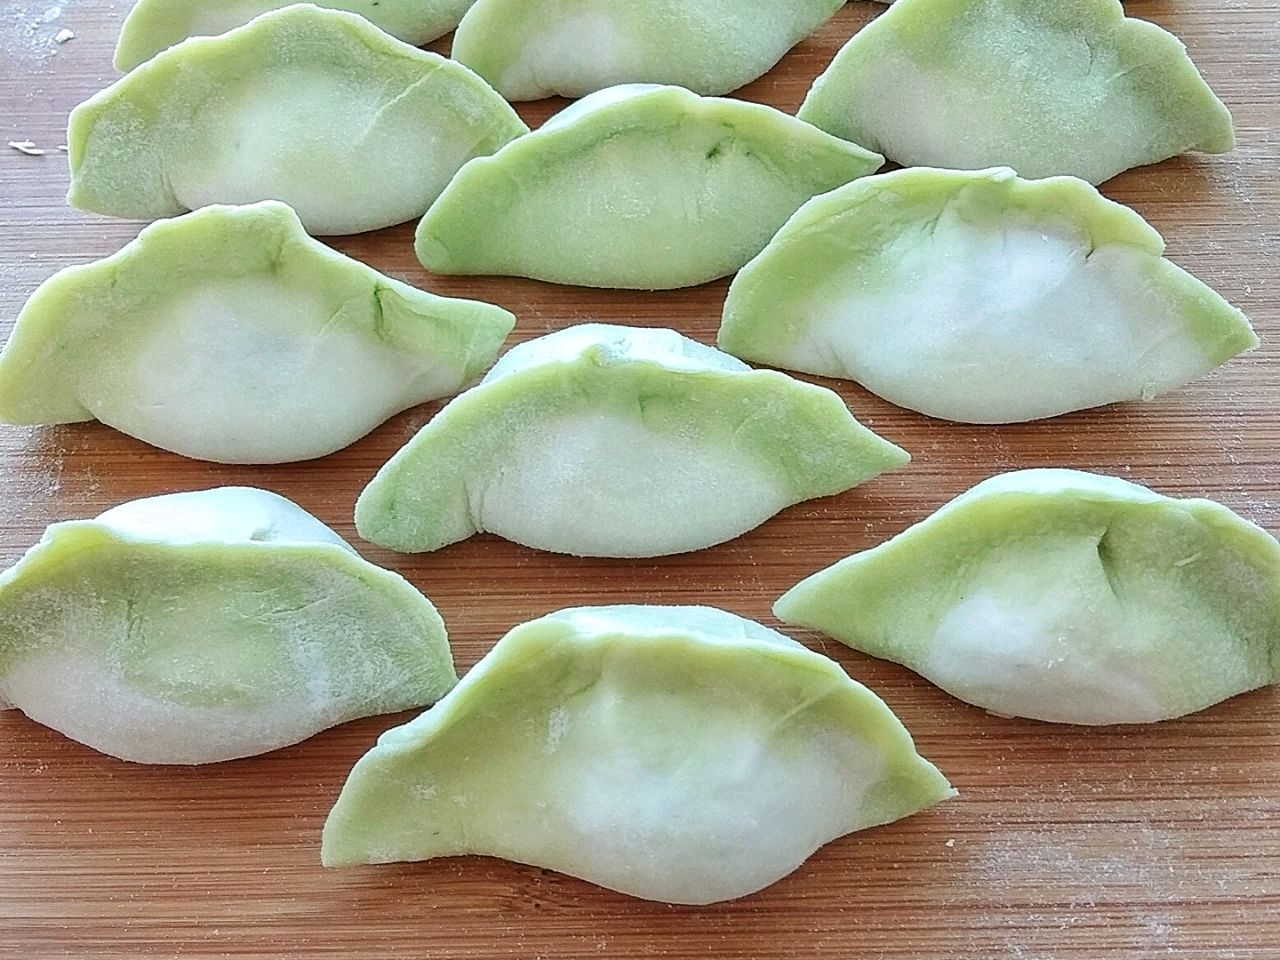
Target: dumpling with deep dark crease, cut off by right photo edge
1064,597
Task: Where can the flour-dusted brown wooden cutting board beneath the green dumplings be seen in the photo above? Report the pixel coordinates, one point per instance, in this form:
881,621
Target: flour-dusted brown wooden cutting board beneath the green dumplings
1084,844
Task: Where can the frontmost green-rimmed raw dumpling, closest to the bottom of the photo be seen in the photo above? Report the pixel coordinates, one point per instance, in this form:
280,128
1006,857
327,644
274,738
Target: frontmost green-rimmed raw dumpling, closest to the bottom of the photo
673,753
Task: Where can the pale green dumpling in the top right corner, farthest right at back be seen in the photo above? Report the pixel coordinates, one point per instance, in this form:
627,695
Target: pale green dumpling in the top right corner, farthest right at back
1067,88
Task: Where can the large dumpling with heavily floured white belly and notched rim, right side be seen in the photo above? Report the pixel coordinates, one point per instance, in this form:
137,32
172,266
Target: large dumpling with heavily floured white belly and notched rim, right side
980,298
